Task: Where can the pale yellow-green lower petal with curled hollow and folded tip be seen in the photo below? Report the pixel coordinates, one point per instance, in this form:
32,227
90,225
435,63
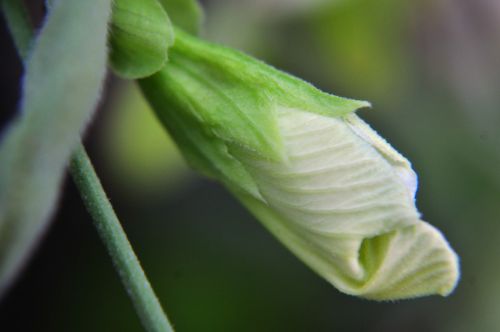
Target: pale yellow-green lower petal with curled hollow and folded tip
410,262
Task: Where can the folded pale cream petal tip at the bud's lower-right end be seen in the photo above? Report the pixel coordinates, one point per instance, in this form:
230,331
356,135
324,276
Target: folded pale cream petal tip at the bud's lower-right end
417,261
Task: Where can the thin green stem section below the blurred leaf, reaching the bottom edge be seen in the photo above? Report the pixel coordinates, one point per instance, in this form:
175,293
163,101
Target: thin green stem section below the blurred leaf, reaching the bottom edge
125,261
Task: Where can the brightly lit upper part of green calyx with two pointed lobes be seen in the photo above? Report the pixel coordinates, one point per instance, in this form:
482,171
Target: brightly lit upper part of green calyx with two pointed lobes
236,96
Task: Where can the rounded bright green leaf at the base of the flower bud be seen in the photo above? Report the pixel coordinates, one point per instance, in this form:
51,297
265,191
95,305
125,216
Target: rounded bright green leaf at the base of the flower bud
141,34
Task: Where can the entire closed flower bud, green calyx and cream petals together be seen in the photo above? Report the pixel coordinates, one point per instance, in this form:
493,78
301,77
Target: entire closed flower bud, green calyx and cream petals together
318,177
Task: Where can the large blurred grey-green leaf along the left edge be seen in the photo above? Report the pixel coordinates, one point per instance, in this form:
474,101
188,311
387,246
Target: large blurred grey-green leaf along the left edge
62,84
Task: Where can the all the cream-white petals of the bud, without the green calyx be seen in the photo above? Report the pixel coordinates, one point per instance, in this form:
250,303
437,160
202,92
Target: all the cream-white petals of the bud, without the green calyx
344,203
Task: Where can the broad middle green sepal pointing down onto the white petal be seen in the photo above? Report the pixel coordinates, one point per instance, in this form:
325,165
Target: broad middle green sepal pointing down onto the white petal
222,99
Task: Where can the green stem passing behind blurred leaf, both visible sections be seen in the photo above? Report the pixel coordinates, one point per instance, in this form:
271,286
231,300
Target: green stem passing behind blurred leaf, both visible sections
108,226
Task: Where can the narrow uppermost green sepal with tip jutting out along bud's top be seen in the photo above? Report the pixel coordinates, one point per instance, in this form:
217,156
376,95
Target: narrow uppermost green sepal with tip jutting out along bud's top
283,89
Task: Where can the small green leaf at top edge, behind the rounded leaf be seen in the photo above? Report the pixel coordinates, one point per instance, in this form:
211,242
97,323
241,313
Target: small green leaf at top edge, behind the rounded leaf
186,14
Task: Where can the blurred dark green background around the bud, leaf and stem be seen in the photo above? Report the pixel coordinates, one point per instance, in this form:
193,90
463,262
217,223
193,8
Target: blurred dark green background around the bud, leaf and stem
431,69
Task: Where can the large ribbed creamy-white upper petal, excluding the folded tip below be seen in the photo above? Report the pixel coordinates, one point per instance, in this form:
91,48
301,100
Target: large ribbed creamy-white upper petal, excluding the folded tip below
334,181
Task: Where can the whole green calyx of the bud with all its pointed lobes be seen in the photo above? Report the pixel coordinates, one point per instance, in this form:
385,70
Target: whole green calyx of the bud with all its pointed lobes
225,101
